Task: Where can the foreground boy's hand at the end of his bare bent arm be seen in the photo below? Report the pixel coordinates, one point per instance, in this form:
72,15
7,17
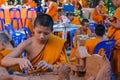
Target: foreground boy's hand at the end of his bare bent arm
25,64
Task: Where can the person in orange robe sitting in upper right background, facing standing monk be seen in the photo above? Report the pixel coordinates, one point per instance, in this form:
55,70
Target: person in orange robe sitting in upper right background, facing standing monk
99,14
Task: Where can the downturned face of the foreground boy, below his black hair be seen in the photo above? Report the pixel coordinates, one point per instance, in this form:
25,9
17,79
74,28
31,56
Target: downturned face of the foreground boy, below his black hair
42,33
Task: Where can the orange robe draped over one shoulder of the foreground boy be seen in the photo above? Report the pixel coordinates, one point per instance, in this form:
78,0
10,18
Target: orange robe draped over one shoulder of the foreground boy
53,53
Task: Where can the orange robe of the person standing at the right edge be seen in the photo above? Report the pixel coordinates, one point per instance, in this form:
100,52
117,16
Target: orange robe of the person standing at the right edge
113,33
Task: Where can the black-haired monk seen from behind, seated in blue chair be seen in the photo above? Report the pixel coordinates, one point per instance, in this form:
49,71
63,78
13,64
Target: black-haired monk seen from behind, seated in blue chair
91,44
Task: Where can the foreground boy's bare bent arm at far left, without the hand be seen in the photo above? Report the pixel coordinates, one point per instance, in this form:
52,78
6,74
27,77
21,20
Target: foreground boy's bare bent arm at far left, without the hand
12,58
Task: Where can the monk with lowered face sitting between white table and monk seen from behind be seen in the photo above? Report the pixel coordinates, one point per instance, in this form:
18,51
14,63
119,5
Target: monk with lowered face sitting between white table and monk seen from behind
84,29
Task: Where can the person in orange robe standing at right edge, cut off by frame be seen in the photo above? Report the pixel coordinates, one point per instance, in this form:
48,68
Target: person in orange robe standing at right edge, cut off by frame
113,33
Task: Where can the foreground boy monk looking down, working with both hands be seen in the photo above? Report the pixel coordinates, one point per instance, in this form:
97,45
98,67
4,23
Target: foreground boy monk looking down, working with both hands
44,50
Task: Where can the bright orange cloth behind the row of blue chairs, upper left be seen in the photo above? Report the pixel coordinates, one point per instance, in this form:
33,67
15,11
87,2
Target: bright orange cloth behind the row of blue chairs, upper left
23,17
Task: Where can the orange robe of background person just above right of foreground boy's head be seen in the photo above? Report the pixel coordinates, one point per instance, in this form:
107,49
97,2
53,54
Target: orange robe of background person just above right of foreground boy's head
53,11
